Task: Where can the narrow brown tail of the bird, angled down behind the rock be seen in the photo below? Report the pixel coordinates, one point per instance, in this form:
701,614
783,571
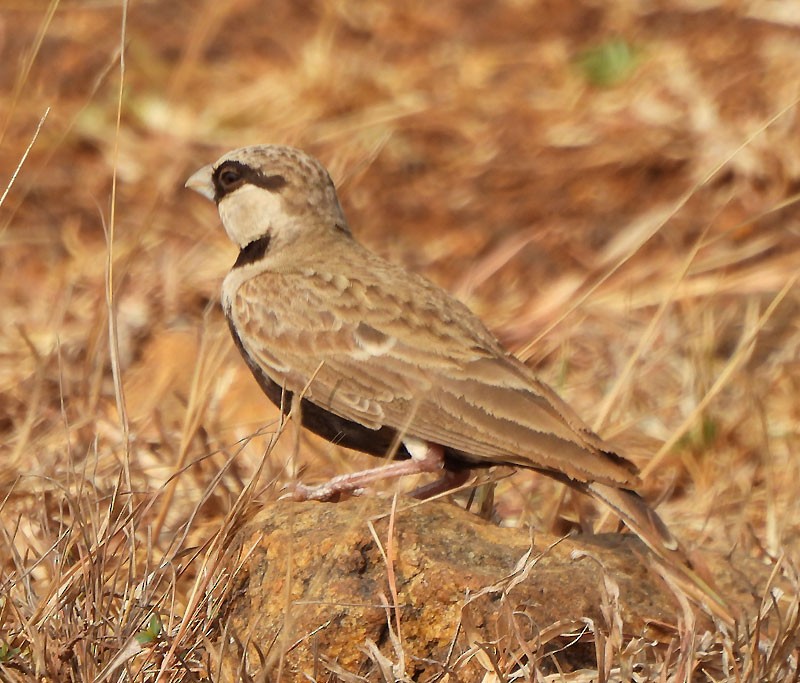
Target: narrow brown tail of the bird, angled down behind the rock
648,526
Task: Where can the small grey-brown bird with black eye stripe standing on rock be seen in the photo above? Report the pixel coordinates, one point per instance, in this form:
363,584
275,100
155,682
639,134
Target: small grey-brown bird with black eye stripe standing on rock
381,360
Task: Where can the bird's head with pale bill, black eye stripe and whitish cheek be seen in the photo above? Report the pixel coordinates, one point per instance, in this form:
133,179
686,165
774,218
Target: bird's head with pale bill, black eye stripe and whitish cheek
270,190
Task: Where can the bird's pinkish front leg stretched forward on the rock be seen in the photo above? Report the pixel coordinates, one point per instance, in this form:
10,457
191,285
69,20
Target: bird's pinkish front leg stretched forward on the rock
431,460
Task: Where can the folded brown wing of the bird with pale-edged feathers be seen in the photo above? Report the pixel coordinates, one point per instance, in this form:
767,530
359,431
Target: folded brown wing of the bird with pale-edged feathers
415,359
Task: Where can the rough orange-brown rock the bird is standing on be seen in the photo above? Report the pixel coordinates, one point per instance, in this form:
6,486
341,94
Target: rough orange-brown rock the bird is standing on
316,590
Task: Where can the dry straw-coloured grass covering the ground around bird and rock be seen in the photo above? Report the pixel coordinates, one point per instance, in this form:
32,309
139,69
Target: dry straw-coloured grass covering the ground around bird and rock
638,243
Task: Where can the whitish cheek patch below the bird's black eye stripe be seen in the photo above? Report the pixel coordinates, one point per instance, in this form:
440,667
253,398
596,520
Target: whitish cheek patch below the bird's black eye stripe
249,212
